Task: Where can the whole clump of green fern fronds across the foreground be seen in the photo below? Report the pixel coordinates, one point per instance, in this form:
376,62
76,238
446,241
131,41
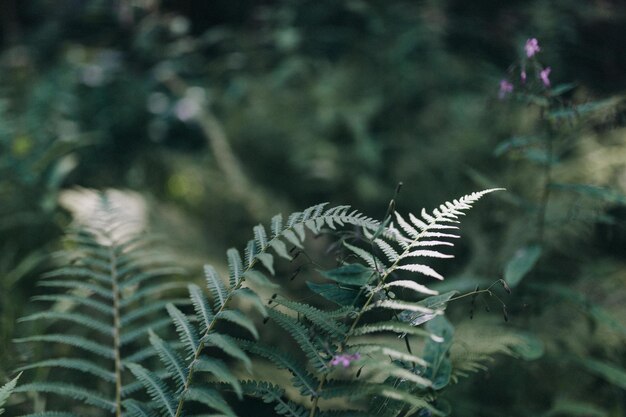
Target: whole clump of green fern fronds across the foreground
383,296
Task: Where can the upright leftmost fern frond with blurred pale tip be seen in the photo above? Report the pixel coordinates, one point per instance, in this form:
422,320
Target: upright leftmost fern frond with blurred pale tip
116,288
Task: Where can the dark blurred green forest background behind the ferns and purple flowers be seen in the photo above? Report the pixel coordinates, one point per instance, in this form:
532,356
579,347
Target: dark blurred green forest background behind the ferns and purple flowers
218,114
